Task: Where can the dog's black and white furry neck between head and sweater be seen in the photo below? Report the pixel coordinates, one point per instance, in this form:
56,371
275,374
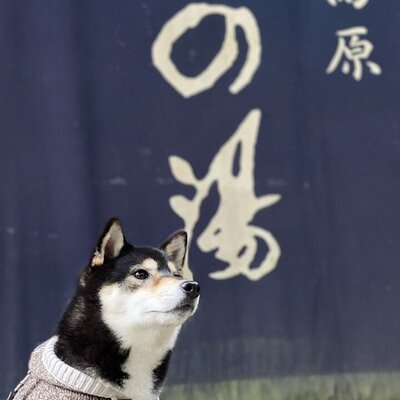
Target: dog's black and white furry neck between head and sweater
136,363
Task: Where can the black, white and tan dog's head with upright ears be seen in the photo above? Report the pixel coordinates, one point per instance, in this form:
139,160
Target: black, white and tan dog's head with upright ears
140,286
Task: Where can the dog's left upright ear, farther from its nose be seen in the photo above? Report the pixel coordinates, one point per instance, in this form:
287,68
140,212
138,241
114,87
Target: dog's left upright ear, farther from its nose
110,243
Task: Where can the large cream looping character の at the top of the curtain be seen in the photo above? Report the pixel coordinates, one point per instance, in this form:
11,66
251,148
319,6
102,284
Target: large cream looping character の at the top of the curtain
190,17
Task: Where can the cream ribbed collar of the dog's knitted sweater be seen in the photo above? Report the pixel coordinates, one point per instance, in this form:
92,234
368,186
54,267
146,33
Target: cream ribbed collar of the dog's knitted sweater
73,378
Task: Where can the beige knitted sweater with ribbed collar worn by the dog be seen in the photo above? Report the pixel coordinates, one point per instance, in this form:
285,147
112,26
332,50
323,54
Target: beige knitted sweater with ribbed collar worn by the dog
49,378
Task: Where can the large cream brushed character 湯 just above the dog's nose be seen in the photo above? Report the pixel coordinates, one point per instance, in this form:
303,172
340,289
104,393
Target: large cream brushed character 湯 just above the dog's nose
230,232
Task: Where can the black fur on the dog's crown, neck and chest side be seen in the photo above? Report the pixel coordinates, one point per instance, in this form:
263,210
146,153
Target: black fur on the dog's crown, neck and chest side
85,341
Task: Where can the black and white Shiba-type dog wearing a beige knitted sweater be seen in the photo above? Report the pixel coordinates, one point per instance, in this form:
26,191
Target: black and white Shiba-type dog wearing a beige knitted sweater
116,337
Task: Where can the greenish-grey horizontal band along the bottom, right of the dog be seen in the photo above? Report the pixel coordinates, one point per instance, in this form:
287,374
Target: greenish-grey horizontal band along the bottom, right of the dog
358,386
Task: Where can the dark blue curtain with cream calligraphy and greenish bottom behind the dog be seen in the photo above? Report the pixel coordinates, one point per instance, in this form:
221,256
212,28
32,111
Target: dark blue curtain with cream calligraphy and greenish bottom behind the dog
289,185
